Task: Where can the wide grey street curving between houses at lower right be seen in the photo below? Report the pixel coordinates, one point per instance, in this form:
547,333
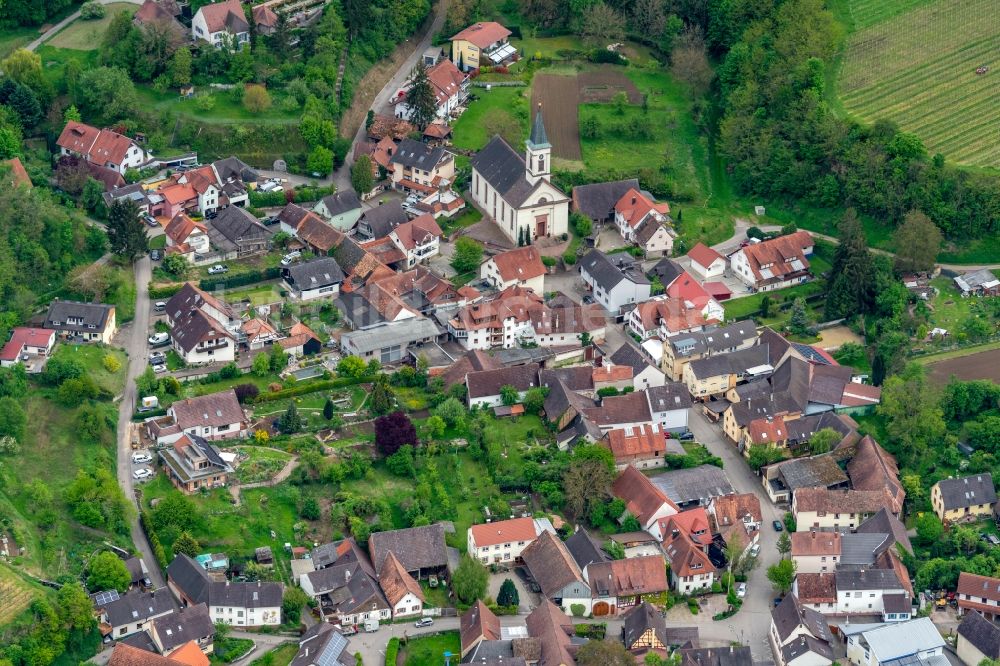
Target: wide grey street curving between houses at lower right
751,624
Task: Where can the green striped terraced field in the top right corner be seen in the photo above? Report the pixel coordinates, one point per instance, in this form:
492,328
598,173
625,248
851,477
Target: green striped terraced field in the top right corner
915,61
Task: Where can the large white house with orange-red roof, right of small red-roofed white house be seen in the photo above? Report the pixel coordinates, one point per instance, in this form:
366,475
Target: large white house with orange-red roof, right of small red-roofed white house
774,264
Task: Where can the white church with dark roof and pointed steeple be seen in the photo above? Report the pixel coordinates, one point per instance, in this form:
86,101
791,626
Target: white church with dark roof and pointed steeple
516,191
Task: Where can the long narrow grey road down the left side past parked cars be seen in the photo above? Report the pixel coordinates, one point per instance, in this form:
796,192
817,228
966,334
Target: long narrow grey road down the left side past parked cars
137,351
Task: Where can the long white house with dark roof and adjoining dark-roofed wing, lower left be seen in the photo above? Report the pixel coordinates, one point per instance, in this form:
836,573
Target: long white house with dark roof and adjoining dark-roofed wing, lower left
248,605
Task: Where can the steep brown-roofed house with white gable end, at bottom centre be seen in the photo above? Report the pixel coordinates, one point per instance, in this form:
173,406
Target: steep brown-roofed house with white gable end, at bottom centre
552,566
